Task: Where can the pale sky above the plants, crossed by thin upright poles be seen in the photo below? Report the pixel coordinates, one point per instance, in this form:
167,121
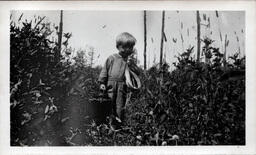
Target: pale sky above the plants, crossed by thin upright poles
100,28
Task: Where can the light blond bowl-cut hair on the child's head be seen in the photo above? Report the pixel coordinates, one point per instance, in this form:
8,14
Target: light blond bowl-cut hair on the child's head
125,38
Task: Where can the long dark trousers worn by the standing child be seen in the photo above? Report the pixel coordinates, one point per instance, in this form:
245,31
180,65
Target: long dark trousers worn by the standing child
117,93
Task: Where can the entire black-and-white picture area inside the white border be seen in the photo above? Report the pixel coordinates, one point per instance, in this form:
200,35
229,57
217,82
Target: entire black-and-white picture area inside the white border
127,78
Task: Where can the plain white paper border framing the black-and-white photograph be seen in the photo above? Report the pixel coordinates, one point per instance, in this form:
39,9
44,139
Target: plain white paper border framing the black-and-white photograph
250,45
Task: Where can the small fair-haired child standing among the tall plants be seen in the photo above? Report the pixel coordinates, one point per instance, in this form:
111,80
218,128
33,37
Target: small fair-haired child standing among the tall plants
112,75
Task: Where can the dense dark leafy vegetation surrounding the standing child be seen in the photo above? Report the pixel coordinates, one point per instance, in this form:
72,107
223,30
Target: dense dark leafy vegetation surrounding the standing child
198,103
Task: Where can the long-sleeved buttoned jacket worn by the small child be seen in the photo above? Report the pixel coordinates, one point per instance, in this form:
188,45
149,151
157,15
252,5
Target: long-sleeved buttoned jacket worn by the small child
113,69
